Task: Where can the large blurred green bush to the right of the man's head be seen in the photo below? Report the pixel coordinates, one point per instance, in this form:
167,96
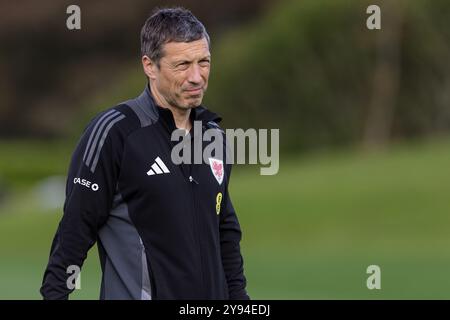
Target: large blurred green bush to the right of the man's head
314,70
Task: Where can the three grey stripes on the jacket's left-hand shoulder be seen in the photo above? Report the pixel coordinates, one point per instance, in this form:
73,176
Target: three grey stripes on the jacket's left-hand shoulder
98,137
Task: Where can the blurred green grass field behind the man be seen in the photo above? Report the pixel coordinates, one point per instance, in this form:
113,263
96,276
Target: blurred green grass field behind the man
309,232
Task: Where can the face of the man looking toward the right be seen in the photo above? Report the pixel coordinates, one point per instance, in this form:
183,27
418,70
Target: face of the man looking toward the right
182,76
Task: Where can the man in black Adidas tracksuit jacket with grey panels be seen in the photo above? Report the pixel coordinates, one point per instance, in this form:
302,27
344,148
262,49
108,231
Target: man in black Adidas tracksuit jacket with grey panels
164,231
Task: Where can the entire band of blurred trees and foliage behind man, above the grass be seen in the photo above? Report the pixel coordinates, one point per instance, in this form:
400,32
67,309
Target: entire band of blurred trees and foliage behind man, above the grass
310,68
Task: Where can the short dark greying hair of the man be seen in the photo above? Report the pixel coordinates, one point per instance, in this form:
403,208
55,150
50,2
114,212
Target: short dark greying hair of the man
169,25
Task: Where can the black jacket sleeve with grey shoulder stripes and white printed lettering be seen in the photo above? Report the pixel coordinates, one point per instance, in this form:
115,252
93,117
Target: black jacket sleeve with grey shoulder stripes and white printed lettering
90,188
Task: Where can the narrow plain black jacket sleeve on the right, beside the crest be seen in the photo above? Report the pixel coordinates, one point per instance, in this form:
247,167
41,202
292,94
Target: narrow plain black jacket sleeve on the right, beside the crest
230,237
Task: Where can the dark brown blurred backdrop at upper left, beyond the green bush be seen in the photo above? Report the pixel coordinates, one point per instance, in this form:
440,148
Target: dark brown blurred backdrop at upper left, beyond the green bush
48,71
